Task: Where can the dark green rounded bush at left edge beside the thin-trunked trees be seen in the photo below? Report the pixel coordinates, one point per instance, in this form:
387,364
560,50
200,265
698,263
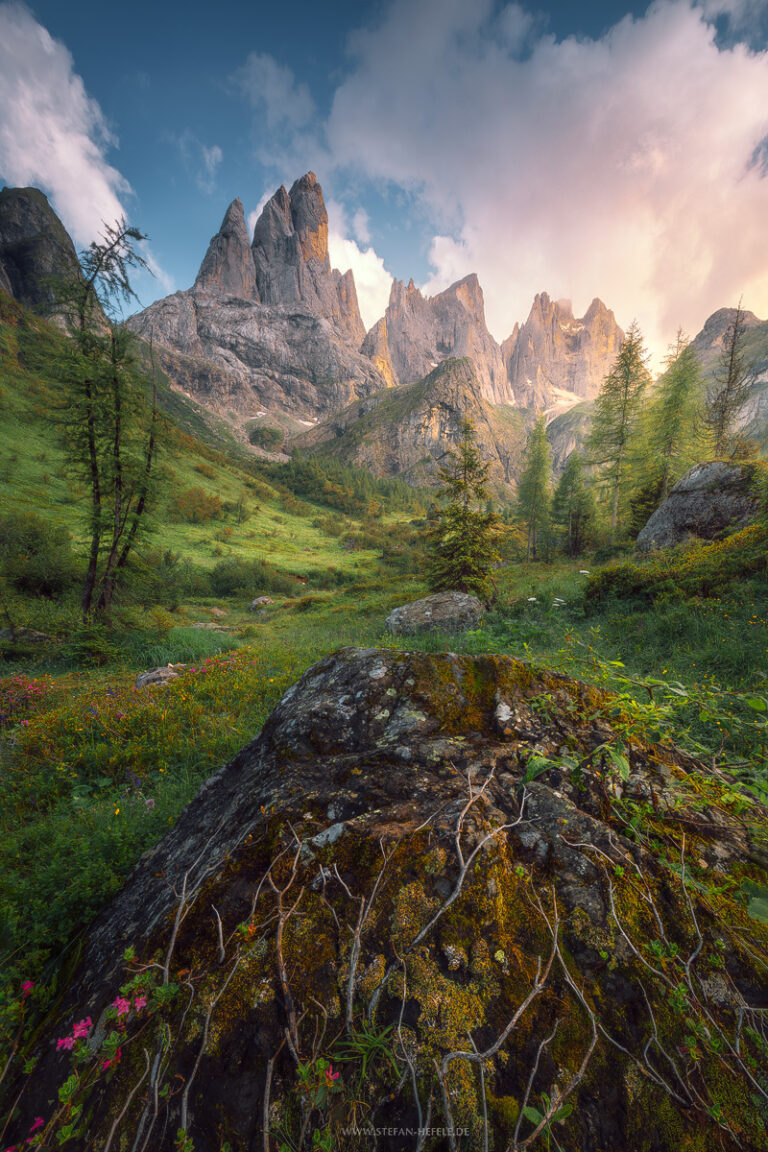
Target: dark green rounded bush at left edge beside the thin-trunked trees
36,557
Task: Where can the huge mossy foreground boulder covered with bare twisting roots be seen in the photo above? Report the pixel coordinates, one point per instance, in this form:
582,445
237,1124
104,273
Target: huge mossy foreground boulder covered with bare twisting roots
436,892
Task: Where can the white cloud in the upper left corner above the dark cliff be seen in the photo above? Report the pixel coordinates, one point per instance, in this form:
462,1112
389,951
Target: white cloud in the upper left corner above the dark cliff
52,133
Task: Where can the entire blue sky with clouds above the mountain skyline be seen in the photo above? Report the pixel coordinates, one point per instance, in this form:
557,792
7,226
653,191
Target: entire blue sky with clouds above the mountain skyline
582,150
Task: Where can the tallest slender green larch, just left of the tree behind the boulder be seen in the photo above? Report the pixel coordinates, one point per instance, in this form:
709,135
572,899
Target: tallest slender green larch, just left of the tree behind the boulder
613,443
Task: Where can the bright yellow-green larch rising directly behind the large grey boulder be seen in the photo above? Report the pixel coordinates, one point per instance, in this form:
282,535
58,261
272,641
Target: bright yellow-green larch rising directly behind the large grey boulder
675,418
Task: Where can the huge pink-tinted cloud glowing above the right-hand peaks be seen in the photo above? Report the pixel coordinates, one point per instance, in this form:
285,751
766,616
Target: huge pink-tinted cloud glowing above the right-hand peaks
619,168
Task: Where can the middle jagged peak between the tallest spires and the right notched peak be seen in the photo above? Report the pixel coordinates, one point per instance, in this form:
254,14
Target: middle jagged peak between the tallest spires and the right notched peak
424,331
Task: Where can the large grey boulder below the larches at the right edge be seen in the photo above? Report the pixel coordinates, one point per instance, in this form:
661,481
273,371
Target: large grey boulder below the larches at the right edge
708,503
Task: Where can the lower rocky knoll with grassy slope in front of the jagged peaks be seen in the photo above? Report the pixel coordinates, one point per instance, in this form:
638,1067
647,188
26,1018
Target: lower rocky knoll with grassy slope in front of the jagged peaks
407,431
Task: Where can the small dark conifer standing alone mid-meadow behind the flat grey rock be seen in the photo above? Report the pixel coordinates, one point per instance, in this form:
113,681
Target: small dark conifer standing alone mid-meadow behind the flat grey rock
462,536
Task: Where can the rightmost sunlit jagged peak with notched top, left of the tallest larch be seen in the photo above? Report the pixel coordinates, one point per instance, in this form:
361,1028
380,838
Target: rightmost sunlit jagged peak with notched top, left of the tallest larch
554,360
